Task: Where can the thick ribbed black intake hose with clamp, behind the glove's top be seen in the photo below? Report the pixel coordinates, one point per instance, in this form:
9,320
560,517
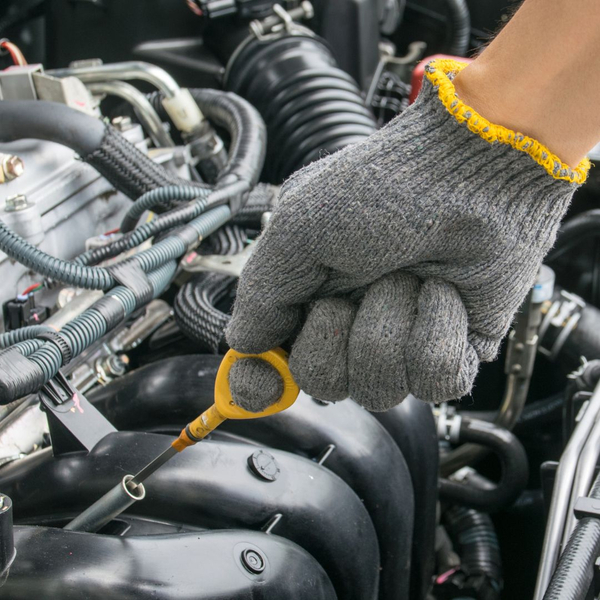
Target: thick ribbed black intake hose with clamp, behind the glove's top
310,106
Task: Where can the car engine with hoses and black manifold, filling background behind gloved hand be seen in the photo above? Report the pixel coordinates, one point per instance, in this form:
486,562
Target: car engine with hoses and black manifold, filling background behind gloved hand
142,146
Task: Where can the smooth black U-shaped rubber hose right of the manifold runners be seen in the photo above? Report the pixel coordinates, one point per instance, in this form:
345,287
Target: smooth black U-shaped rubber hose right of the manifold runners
515,468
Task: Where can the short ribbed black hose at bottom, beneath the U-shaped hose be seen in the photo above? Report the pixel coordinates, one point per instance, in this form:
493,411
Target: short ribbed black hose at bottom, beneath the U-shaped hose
476,542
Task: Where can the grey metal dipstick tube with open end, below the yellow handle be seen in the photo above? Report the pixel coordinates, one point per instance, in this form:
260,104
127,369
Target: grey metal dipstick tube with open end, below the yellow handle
112,504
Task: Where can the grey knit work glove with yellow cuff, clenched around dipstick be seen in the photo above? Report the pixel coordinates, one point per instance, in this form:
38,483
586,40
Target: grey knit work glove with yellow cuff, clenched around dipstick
400,261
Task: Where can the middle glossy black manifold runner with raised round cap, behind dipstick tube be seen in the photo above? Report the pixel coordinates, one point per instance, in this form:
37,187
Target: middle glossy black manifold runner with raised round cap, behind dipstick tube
210,485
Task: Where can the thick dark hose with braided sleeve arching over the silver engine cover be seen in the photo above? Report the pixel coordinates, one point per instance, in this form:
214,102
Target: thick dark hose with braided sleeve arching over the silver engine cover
128,169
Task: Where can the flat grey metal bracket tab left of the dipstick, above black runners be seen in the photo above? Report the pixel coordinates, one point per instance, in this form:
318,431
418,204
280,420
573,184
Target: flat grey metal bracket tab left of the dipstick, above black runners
74,423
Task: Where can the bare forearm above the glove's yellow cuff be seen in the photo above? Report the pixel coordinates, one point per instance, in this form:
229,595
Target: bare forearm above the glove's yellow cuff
539,76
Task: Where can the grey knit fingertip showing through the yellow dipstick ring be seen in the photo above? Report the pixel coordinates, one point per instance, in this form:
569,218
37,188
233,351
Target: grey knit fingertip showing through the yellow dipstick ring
254,384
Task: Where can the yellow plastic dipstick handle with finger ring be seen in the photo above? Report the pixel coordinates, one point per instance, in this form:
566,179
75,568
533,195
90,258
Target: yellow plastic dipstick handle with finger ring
225,407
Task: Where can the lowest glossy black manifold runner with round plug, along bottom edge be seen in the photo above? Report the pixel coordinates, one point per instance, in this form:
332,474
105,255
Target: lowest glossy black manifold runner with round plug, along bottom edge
54,564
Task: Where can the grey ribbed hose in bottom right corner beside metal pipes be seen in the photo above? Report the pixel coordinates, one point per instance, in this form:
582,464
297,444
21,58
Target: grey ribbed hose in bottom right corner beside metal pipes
575,572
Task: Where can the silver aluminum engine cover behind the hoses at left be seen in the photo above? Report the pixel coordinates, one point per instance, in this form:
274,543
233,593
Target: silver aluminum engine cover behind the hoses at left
59,202
